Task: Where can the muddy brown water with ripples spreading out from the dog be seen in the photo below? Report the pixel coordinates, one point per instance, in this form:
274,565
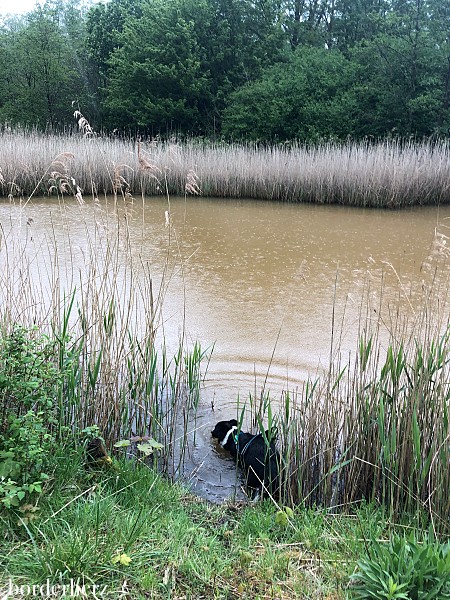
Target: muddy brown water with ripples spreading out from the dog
256,280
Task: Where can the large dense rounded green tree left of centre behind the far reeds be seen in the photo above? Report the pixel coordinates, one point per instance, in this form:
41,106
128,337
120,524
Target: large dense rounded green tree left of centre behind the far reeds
155,80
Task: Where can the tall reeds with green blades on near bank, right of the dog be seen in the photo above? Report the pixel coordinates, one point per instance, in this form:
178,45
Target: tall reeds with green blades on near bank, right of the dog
375,425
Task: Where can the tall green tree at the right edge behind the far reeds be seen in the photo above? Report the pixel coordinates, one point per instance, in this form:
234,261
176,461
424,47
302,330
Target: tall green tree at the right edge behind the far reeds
403,73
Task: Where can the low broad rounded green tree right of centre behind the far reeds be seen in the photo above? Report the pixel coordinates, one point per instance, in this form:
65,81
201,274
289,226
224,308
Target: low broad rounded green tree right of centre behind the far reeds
307,98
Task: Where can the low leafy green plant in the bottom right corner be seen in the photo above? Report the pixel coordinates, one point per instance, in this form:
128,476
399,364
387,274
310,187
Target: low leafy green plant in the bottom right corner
404,569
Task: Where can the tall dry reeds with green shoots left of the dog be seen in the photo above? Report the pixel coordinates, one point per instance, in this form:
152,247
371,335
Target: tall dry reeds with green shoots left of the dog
96,298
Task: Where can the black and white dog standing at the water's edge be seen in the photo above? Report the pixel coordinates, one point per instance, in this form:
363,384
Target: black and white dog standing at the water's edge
259,460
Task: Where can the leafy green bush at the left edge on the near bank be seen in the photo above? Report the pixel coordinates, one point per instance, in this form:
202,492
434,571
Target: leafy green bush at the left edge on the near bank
29,385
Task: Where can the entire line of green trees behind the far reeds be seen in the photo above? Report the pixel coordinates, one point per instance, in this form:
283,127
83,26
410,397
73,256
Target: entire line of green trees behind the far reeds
265,70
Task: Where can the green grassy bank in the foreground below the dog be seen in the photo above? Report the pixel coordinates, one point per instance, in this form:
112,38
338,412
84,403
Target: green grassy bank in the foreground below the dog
179,545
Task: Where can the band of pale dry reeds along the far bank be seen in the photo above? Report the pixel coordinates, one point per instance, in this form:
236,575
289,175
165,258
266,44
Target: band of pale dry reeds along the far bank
388,174
